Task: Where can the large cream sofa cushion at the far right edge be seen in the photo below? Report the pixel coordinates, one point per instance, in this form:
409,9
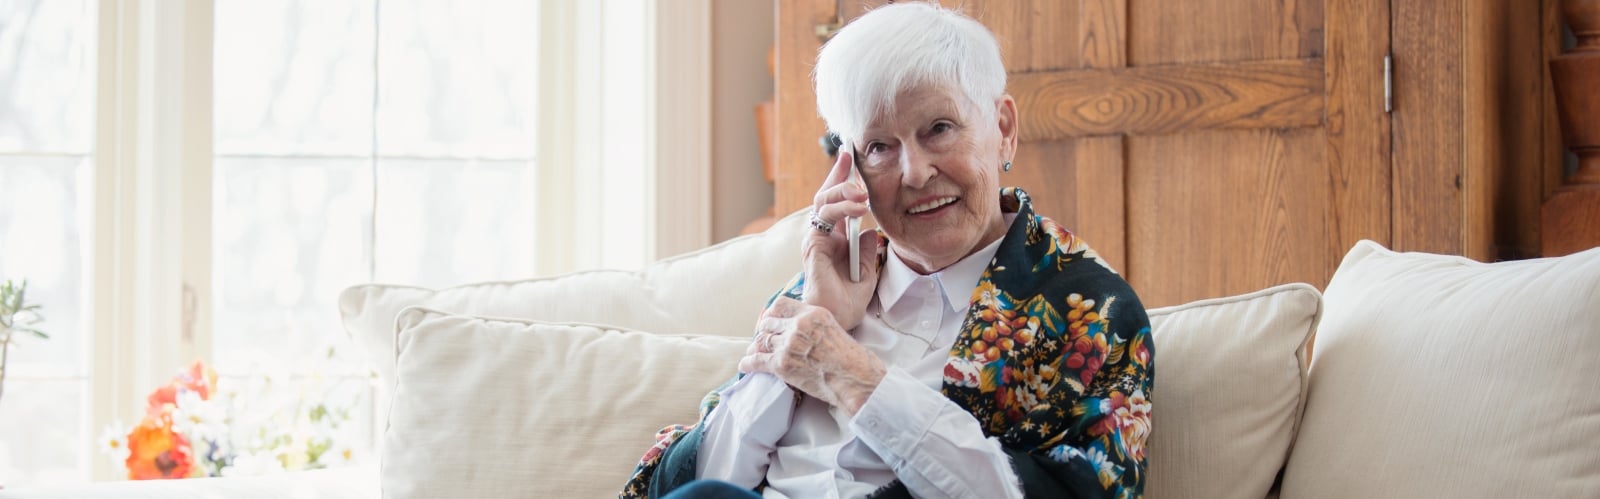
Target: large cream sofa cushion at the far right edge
1439,377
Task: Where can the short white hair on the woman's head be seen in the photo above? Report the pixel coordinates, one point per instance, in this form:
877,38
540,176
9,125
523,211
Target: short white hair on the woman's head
902,47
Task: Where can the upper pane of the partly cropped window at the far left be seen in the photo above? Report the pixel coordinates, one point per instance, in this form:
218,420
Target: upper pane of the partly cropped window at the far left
47,76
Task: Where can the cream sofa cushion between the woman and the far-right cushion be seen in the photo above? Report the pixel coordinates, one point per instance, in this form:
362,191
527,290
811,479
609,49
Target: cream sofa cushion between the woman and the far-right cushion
1230,388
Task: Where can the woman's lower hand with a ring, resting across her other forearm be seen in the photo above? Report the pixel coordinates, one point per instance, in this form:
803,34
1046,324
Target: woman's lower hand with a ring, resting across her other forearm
807,348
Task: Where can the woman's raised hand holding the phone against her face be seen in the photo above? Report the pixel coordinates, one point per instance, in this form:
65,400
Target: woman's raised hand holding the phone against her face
826,257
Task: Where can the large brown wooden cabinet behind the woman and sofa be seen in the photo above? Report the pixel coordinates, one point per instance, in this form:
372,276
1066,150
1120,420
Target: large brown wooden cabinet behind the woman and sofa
1209,148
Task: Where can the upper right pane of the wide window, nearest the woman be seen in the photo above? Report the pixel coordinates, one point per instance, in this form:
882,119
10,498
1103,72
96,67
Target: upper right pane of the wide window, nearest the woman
457,79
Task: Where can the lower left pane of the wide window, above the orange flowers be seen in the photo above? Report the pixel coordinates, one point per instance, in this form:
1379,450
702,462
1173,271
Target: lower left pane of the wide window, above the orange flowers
289,236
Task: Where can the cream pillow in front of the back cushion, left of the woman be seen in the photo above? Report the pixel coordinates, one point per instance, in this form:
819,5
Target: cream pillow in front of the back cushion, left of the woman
513,409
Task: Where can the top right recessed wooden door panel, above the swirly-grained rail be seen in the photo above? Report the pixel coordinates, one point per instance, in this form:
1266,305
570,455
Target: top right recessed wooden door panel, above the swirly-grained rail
1215,31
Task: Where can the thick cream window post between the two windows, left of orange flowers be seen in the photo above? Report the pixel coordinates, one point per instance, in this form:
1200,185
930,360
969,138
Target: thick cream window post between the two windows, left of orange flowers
153,202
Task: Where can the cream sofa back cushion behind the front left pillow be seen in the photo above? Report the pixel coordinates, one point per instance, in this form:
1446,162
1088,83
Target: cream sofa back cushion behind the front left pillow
719,290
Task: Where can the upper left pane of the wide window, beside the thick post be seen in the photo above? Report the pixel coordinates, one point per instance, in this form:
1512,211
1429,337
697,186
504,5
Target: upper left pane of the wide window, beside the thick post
294,78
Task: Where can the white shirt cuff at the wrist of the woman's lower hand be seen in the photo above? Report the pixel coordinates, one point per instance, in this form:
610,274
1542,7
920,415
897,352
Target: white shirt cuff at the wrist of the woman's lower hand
898,415
